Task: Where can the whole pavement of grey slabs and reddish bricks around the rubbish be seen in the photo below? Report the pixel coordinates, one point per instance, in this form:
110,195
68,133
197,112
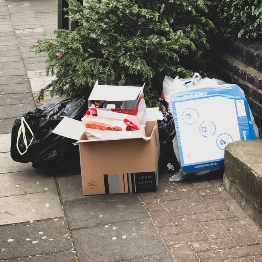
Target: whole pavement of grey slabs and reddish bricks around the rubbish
45,217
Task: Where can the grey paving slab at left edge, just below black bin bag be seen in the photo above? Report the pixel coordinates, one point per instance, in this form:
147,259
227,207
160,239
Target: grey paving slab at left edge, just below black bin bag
27,182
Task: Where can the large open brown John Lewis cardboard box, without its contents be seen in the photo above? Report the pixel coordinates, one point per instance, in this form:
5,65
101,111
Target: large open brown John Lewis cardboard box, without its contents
116,166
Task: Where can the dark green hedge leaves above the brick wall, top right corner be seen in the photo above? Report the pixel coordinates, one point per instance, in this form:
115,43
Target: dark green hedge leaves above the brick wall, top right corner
238,19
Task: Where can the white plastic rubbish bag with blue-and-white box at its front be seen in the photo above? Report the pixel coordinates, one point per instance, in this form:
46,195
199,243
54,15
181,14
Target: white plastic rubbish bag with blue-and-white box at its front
208,114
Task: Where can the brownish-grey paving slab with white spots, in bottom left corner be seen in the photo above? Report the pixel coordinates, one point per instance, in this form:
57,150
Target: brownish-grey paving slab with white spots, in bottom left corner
36,238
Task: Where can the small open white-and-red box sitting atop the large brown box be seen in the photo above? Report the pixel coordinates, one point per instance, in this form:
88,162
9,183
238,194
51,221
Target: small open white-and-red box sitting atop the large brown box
120,102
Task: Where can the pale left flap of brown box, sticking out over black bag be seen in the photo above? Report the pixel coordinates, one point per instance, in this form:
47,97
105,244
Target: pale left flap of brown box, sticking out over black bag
70,128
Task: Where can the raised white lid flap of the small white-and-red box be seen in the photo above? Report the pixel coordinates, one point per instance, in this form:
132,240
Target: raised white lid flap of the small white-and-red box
115,93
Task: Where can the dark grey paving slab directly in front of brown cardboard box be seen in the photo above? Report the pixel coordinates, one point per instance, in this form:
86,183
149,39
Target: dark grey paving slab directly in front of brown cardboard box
103,209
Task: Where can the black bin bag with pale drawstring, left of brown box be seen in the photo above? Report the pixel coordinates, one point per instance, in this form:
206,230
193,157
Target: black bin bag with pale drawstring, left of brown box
33,140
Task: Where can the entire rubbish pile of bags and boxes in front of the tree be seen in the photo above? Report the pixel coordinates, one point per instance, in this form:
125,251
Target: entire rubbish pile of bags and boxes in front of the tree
120,140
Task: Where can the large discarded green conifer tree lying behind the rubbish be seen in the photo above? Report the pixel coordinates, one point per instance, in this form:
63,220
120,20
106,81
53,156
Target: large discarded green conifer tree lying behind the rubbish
127,42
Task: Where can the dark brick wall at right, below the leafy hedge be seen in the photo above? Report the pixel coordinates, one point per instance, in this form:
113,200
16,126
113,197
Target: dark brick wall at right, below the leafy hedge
241,63
